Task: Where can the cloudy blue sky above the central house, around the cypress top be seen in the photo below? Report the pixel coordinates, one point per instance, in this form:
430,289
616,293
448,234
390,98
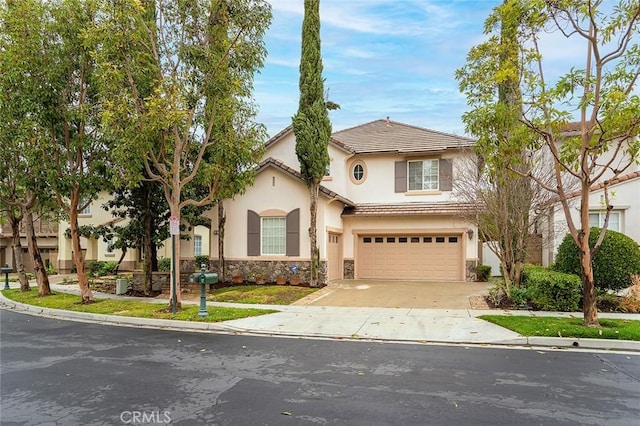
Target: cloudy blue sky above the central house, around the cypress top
381,58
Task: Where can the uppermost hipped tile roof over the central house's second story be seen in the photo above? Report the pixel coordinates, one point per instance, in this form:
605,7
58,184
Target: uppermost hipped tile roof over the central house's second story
390,136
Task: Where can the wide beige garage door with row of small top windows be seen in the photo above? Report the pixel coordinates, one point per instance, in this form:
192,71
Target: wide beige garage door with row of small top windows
413,257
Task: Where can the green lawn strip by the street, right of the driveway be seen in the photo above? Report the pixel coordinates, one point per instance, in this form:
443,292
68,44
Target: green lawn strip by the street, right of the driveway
567,327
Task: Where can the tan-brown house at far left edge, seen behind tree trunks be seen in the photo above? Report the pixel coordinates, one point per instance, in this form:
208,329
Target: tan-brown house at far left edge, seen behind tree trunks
47,239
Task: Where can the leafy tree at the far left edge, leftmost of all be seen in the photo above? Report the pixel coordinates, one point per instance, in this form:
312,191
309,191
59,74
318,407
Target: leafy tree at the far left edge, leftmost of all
23,187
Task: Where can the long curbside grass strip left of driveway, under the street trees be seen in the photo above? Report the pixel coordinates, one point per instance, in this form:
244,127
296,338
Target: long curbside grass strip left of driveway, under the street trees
127,308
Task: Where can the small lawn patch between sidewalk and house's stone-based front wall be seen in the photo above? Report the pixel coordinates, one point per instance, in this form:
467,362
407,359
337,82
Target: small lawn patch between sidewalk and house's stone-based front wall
260,294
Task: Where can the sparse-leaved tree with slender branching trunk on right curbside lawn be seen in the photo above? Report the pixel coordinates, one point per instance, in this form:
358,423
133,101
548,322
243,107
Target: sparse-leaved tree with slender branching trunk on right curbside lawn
600,92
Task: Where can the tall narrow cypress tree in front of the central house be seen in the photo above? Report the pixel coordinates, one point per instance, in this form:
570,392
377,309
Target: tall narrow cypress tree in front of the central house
311,123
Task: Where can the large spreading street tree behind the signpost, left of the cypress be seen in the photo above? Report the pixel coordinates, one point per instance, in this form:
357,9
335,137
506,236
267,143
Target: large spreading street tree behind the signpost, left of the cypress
169,71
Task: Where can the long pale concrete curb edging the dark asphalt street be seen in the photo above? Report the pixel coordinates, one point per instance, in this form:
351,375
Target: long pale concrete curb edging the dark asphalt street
221,328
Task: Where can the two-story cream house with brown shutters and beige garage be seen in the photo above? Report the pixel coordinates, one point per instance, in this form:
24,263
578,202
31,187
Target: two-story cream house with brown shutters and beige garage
386,209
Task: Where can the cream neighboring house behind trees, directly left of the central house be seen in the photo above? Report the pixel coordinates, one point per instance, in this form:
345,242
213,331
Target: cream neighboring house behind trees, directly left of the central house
96,249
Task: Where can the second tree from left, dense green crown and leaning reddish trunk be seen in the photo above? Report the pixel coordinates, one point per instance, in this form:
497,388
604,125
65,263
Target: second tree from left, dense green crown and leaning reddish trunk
77,155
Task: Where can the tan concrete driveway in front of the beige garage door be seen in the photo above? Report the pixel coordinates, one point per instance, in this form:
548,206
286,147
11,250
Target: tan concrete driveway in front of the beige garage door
400,294
